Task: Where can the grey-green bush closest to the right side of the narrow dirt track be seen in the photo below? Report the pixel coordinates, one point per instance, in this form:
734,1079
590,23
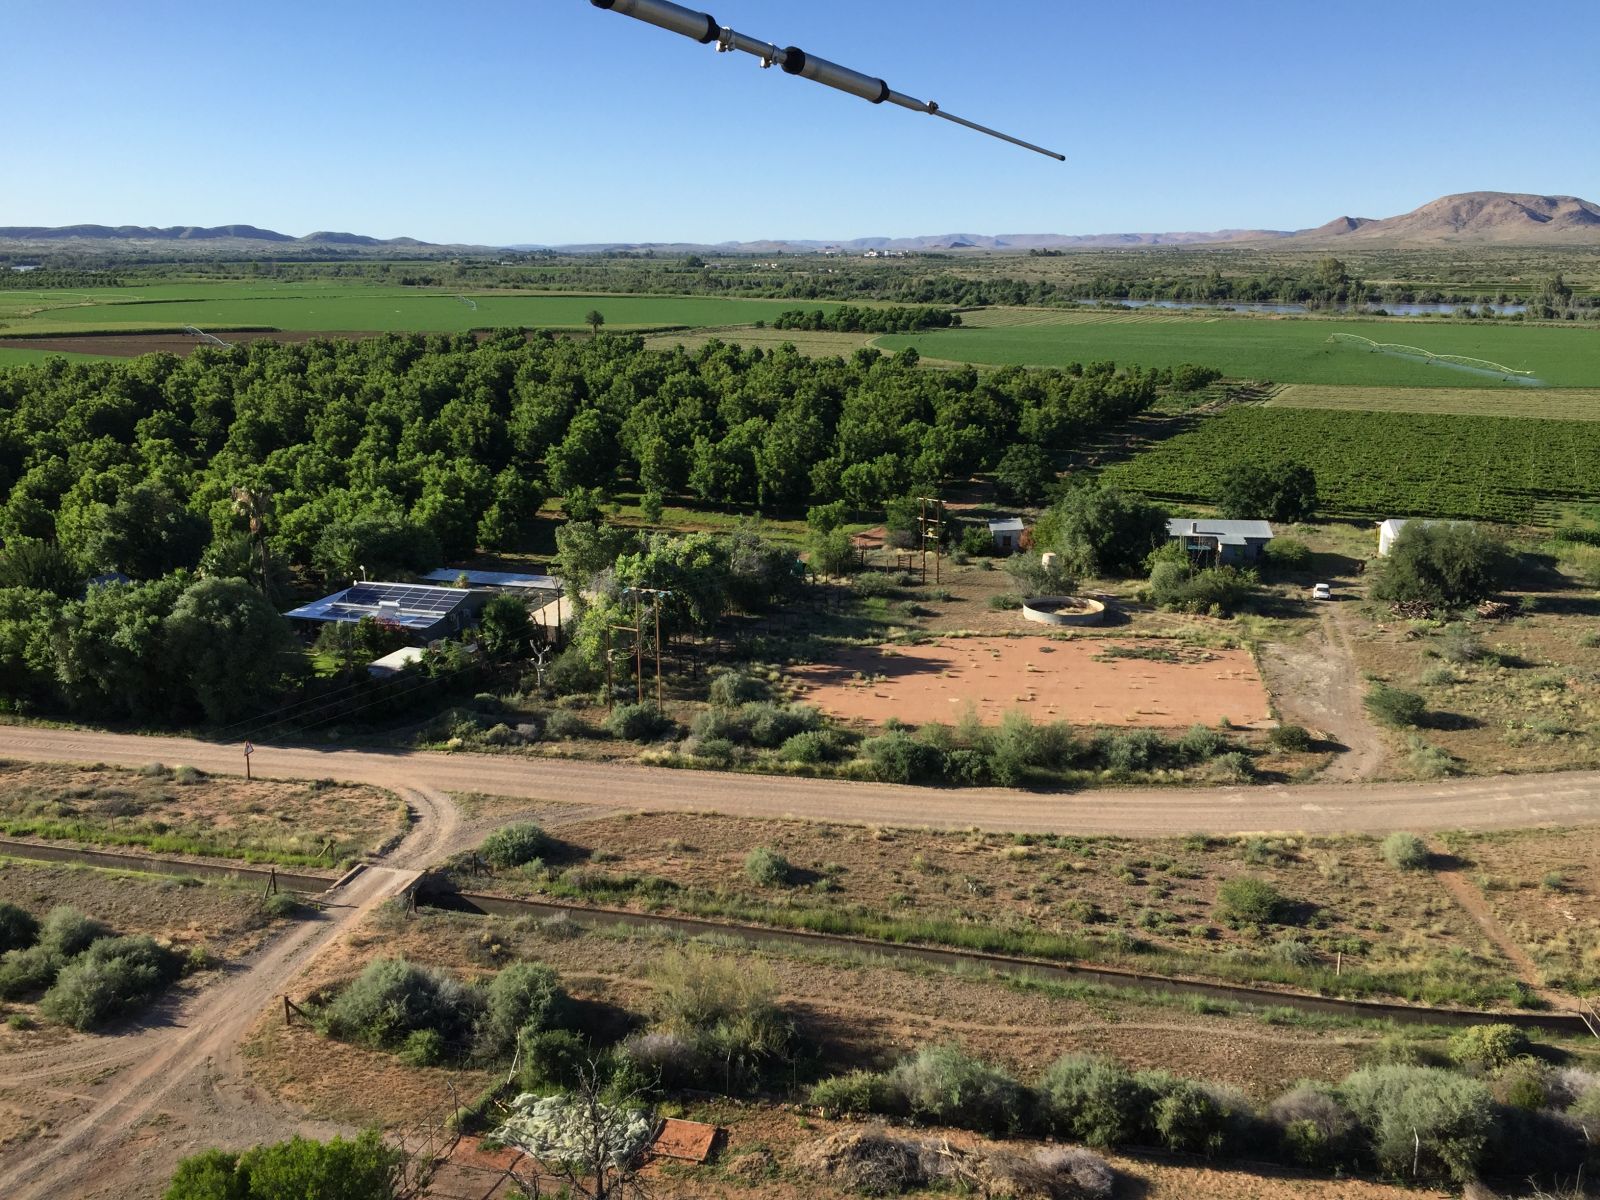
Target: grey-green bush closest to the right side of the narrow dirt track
393,999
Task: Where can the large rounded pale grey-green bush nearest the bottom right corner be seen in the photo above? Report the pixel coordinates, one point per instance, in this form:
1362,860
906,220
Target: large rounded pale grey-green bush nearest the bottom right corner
1425,1118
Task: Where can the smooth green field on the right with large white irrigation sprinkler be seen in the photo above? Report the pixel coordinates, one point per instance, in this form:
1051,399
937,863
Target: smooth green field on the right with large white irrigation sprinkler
1262,348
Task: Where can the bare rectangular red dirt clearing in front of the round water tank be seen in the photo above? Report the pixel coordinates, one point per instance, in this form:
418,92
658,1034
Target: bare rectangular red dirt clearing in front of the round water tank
1079,682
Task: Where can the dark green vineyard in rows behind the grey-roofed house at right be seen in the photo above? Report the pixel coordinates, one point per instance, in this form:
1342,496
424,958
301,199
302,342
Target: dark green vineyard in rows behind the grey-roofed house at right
1388,465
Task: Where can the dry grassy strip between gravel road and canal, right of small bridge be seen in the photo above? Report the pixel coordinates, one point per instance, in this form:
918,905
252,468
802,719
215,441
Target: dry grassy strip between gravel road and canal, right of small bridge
1351,922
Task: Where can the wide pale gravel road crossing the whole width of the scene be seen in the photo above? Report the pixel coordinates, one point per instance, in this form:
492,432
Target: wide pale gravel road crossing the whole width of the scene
1498,802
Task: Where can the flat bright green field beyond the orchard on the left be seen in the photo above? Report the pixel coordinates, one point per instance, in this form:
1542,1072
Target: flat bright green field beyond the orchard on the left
356,308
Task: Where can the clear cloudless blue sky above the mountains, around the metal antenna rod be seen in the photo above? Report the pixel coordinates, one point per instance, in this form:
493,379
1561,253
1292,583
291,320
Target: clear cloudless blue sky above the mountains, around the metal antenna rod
551,121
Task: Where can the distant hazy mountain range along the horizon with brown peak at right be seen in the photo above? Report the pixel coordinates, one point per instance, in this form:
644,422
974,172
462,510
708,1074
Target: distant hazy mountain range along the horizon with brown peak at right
1471,218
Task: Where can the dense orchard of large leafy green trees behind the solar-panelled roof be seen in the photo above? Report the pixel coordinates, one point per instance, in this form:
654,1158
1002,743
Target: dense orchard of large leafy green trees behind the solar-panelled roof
406,450
